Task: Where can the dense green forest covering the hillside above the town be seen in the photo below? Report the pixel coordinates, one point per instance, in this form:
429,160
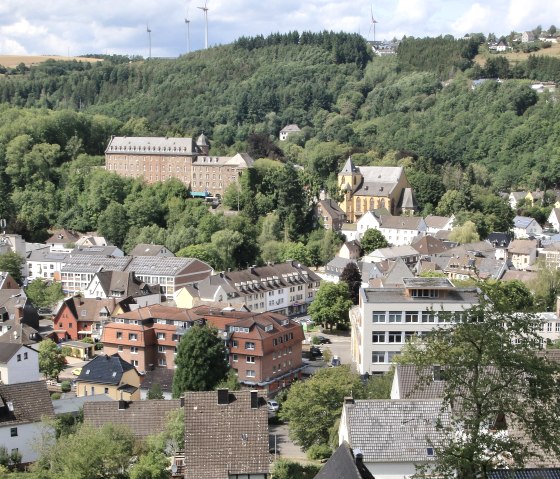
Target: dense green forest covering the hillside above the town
461,145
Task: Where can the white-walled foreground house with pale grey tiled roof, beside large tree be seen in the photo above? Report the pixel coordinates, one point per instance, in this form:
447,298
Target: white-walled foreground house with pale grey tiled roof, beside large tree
393,436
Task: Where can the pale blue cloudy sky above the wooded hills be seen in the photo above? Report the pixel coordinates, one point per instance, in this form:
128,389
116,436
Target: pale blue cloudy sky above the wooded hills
78,27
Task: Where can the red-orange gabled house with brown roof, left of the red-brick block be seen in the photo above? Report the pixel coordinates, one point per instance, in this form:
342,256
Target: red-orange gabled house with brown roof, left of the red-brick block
79,317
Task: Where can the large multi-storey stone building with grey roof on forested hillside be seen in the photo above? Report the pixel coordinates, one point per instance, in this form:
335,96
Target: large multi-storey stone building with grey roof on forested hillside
157,159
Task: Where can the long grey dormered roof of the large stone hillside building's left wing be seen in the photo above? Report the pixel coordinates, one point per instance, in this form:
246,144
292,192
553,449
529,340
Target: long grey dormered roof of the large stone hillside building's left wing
142,145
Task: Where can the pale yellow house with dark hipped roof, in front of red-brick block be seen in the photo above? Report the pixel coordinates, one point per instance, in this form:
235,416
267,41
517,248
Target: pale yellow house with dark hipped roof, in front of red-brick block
109,375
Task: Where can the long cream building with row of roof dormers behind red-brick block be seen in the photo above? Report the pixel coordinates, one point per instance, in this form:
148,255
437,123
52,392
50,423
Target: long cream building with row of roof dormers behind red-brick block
284,288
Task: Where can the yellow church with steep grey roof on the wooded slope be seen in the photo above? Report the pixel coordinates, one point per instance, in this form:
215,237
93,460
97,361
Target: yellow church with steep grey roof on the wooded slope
369,187
